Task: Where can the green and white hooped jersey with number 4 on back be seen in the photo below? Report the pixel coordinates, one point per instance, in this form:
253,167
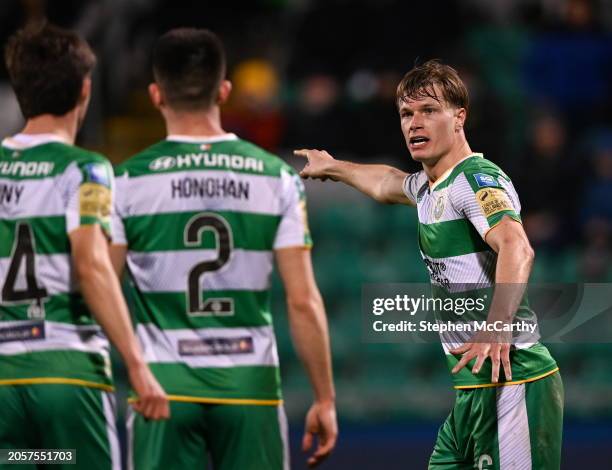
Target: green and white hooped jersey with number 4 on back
47,334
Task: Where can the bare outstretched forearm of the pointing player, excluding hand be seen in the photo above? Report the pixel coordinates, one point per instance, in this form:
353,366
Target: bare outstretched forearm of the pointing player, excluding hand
383,183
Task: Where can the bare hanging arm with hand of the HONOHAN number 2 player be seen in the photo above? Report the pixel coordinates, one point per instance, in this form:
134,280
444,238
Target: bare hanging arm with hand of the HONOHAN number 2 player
308,326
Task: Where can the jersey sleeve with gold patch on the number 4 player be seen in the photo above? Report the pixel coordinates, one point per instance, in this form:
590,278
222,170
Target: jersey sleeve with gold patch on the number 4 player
91,195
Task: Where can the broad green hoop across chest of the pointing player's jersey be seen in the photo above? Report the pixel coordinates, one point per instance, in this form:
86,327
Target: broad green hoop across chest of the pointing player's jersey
460,238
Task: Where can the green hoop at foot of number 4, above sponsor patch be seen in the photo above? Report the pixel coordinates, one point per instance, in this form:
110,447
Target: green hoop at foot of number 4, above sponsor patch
63,308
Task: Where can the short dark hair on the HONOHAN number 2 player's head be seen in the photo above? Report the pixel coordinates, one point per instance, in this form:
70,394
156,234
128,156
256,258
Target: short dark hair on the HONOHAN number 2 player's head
189,65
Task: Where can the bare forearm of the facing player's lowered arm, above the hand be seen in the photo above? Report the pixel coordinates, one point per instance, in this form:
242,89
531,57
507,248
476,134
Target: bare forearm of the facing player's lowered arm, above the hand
514,262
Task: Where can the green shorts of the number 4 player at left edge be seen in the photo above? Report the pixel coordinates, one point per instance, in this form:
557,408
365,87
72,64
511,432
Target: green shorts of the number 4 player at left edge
60,416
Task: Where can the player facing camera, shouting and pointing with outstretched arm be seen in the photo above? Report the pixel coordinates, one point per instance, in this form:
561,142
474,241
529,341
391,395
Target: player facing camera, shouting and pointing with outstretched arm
470,232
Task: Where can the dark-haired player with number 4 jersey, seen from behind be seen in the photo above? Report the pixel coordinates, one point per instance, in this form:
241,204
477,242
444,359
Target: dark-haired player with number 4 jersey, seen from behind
56,278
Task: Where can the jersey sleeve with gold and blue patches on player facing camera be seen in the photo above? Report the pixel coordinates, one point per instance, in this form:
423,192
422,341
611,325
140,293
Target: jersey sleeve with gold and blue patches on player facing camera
484,196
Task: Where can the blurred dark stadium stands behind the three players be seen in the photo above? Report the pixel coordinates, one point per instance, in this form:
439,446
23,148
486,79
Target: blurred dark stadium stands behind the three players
322,74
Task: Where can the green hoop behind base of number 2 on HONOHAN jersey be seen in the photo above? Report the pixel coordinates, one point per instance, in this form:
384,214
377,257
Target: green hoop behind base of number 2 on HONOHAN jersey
168,310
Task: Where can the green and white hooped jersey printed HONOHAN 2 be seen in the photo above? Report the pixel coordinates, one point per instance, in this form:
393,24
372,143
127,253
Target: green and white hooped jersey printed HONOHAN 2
201,218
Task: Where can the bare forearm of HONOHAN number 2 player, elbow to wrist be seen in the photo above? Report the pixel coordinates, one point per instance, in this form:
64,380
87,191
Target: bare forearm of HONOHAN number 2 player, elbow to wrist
311,339
